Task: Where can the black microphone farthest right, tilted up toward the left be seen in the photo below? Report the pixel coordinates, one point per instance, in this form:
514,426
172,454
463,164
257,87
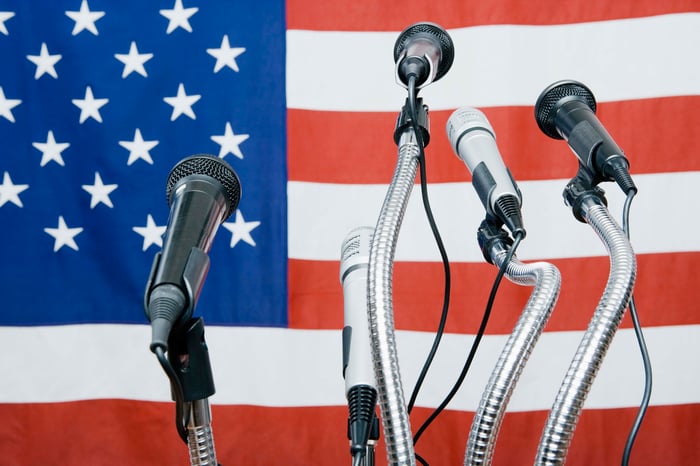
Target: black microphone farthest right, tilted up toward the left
566,110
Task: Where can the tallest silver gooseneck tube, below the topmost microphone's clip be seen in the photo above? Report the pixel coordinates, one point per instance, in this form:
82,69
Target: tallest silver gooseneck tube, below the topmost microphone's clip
397,430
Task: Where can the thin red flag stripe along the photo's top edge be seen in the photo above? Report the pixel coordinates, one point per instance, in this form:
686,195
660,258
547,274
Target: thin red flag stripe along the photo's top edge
370,15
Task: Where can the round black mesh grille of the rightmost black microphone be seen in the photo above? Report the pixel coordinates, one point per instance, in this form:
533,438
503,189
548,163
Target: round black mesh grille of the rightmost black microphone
553,97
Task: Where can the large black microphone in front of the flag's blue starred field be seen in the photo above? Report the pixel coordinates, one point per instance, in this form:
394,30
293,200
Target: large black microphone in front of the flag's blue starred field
202,191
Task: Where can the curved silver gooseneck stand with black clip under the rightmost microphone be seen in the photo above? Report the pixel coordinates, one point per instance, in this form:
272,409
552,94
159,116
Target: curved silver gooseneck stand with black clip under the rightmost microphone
589,205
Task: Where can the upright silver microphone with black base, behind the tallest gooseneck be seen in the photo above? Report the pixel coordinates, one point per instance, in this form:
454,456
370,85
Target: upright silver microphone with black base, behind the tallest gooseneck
358,371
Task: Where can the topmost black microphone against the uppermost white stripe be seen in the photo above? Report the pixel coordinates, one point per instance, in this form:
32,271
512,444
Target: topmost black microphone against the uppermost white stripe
423,50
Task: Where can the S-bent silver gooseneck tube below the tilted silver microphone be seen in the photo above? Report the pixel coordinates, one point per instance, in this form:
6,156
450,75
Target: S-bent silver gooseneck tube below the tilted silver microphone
489,416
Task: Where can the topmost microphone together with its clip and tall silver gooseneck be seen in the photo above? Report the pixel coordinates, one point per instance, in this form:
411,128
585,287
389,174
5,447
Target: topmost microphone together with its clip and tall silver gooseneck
423,53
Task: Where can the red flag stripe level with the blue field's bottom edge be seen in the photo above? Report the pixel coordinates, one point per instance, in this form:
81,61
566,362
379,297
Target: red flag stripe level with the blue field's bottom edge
316,298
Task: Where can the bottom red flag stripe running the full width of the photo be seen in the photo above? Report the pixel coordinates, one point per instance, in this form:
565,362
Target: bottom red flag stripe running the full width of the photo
143,433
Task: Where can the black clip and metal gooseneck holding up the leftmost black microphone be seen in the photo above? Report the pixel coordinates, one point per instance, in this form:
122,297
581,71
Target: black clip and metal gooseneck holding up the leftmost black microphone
189,357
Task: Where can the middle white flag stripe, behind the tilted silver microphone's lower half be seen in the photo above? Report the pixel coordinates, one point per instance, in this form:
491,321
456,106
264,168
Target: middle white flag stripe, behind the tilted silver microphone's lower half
320,215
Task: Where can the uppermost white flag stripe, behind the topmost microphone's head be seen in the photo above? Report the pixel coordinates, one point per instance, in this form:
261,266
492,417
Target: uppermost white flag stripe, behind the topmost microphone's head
619,60
